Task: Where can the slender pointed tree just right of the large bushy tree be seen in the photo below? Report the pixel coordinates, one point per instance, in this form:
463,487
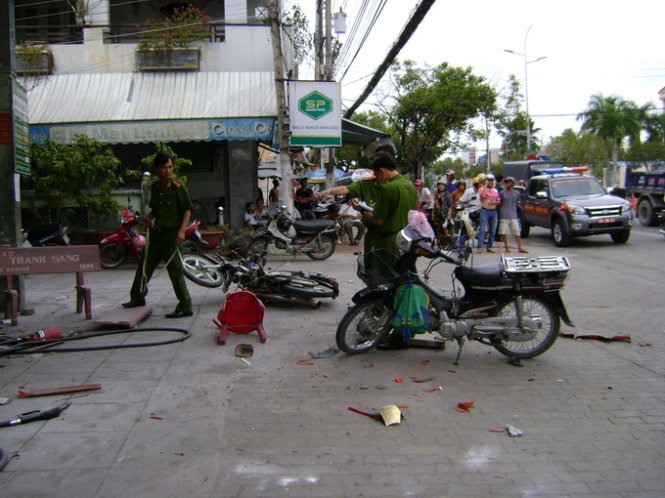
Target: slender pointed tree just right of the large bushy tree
512,124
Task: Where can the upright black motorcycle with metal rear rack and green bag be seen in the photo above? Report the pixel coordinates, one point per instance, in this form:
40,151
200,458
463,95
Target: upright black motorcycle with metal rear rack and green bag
514,305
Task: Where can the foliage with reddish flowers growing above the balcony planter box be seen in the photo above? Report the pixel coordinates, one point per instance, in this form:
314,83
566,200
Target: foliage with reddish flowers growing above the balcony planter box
183,27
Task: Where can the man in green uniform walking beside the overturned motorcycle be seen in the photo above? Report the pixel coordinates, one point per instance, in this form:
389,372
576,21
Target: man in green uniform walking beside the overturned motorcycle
170,211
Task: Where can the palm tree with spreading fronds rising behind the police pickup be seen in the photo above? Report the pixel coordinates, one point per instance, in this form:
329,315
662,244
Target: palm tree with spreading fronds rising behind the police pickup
613,119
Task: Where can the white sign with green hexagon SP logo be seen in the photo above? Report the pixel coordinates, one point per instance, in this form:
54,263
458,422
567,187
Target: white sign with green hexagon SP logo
316,113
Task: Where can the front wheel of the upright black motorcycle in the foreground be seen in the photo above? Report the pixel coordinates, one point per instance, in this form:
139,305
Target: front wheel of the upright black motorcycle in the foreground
364,326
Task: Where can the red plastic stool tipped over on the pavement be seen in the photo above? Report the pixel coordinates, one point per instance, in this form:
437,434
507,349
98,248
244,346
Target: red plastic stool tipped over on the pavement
243,313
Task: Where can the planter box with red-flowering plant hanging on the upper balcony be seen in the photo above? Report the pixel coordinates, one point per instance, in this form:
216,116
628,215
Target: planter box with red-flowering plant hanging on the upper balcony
166,44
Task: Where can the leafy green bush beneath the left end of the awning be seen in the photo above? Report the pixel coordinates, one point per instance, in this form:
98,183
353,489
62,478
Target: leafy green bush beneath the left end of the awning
85,172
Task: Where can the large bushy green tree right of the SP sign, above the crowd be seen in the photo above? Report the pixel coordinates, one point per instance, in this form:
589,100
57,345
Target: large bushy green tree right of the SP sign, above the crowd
433,110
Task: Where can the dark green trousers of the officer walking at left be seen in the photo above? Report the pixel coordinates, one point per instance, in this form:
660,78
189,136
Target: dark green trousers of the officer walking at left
161,247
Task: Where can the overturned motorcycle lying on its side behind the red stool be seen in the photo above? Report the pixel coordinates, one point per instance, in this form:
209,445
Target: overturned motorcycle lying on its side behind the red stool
286,286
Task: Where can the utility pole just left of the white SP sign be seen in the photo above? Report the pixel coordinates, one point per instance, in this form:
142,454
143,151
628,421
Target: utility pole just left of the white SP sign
286,187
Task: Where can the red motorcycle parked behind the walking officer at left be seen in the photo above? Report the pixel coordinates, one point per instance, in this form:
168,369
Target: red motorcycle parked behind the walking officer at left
115,248
